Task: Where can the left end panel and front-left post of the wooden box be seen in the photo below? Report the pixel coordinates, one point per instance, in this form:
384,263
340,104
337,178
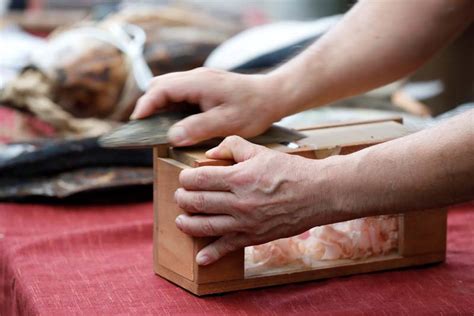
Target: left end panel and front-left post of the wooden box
175,250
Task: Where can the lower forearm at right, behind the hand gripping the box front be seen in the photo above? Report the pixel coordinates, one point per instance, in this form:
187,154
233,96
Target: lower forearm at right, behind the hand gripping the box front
429,169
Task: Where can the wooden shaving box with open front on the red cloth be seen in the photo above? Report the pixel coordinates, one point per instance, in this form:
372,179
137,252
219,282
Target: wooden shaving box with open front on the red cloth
421,235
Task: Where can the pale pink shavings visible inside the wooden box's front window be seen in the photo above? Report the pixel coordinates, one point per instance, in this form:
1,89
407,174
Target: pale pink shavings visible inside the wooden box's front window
352,240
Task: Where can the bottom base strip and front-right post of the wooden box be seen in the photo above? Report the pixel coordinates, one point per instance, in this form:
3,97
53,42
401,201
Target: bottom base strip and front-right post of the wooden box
436,220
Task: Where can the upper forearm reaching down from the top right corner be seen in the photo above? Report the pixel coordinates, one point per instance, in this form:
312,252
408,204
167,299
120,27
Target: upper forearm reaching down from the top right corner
377,42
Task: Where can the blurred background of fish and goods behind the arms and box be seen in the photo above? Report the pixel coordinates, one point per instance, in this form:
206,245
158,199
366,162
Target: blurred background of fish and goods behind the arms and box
71,71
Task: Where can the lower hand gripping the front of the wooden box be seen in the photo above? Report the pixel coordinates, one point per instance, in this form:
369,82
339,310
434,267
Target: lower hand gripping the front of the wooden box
265,196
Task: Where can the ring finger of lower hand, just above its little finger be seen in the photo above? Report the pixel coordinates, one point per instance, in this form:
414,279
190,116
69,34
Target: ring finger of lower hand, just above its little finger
204,226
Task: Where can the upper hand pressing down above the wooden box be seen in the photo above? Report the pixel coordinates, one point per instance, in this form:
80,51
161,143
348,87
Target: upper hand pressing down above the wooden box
232,104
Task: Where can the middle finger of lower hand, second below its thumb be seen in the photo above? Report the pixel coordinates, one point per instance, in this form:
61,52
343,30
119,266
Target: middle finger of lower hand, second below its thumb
206,202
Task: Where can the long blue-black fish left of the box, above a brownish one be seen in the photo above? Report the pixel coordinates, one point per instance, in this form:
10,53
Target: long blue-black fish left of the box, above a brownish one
52,157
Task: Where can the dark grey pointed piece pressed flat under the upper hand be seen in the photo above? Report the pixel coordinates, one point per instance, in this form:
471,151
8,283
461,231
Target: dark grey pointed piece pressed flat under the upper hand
153,131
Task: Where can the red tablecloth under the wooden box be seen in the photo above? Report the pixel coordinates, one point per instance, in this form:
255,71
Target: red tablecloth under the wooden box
58,260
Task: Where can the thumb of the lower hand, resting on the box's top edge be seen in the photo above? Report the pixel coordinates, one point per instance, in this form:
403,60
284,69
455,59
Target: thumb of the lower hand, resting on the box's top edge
235,148
